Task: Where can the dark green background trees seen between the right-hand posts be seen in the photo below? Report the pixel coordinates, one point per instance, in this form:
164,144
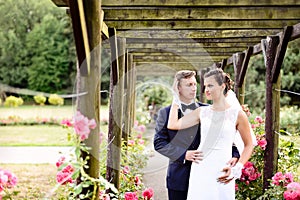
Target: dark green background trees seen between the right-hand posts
290,73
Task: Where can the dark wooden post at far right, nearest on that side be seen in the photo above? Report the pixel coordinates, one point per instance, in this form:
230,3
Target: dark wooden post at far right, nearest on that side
269,47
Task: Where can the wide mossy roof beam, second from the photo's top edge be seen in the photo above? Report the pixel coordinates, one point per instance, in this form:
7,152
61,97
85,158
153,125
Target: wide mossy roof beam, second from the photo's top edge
200,13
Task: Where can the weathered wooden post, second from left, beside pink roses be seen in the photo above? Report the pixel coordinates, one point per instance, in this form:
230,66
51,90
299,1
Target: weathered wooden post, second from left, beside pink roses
115,109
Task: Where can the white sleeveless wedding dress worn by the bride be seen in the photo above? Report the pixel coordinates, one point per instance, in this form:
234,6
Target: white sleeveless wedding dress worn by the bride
218,131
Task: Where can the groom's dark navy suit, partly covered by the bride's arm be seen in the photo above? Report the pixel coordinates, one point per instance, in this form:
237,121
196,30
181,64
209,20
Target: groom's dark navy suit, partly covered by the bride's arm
174,144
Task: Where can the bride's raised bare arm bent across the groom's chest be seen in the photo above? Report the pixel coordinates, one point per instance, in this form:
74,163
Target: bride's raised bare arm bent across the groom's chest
186,121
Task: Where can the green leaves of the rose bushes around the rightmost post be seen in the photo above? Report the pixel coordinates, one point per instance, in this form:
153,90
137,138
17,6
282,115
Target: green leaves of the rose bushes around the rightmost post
288,161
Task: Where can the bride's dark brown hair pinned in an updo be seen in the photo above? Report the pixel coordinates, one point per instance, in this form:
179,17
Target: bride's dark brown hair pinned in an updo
221,77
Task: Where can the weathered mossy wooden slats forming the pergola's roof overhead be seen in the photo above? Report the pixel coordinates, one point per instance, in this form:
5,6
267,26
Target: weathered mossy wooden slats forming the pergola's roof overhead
221,28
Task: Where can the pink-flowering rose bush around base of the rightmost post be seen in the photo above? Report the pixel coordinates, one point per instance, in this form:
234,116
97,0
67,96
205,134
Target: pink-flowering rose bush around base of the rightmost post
250,185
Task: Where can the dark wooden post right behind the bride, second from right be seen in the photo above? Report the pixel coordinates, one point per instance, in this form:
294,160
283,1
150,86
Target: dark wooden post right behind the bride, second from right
238,59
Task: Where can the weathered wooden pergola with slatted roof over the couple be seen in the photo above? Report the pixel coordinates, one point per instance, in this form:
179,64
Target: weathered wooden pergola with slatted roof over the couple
159,37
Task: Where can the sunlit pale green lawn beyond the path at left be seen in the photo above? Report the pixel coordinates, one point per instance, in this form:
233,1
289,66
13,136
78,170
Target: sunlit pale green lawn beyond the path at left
38,135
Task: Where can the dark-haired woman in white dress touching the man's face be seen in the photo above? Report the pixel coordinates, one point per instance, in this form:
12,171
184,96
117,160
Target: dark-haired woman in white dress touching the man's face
220,122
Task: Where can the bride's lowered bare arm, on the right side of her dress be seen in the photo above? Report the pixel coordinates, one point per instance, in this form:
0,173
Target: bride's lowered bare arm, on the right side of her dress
244,128
